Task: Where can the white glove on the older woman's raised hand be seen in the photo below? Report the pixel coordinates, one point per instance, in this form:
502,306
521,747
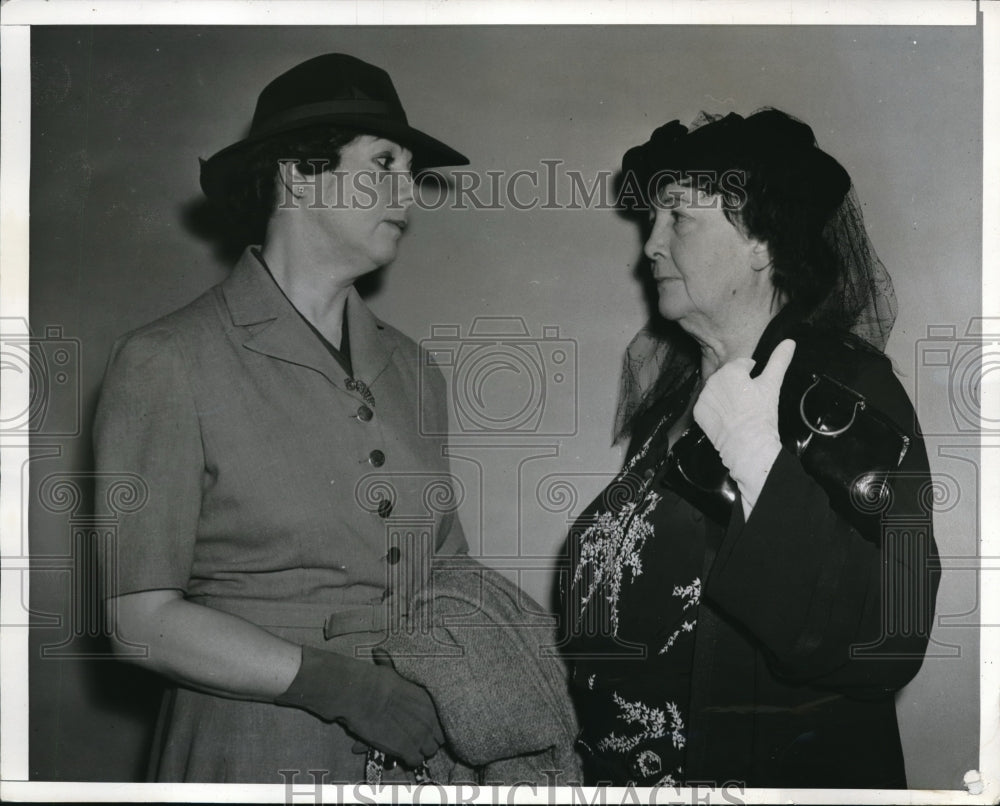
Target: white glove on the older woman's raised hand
739,414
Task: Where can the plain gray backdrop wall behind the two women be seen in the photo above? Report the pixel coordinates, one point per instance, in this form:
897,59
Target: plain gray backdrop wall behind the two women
121,114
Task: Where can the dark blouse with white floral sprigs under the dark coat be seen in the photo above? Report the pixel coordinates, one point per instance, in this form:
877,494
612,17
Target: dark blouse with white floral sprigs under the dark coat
632,599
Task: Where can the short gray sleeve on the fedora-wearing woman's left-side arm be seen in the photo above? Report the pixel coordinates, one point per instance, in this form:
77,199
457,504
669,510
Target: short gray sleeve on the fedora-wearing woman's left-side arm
147,426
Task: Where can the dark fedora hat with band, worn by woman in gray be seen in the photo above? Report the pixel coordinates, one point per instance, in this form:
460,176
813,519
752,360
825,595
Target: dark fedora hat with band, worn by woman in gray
334,89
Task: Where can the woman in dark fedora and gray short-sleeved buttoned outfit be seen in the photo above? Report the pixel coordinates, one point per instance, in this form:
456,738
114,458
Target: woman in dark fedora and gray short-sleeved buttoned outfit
254,417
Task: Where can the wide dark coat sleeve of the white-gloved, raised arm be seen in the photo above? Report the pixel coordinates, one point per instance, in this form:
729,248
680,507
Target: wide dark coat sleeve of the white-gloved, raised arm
826,605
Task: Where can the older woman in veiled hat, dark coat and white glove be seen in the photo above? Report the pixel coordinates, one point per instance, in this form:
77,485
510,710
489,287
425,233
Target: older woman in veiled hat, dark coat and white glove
758,582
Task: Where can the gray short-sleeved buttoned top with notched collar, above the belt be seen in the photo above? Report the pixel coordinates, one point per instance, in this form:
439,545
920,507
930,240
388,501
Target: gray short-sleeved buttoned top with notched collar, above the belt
264,485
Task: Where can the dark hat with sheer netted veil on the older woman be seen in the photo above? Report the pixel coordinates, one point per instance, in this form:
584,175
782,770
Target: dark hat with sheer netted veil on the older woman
774,154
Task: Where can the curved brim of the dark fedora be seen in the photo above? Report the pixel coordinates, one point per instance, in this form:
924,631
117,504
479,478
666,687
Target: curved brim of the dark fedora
219,172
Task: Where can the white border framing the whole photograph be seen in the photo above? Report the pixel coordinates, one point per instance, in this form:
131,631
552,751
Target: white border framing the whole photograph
16,17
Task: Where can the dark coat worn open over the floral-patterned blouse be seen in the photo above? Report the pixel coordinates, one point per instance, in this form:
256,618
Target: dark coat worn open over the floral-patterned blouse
806,628
